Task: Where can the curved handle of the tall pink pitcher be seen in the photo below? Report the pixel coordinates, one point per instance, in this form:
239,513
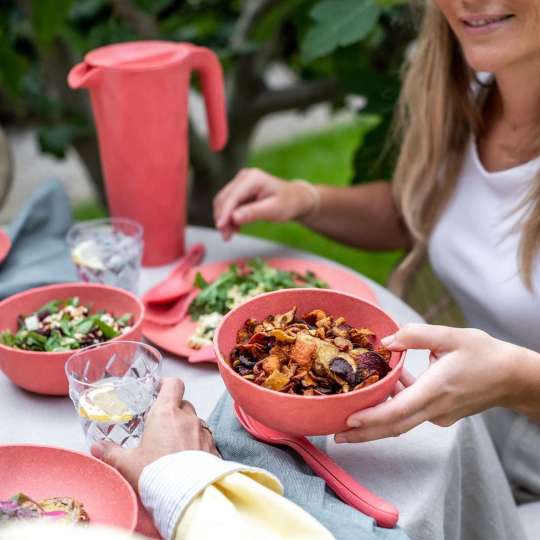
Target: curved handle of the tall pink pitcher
207,64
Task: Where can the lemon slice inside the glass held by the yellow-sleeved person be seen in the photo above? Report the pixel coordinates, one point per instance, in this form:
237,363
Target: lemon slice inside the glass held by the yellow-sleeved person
103,405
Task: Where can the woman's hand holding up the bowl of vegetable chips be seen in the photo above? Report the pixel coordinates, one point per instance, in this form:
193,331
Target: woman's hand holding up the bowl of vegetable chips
469,372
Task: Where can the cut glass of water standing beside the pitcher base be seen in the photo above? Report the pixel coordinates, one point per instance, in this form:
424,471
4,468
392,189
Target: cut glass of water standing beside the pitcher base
107,251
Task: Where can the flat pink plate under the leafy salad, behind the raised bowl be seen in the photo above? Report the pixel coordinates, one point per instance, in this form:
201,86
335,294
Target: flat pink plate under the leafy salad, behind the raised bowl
174,339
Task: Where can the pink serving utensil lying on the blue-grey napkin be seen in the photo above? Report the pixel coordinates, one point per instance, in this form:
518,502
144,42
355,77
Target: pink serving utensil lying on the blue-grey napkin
343,485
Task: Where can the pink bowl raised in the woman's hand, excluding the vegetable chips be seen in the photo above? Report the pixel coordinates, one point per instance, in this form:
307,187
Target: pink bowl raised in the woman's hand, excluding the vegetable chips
305,415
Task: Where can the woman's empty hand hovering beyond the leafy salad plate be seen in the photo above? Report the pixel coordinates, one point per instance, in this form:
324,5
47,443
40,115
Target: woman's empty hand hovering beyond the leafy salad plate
254,194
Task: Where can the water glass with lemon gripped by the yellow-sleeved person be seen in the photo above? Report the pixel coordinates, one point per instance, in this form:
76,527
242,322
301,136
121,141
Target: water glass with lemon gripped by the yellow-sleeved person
112,386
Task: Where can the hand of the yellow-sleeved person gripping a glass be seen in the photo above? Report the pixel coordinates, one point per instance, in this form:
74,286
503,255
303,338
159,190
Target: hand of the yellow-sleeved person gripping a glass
171,426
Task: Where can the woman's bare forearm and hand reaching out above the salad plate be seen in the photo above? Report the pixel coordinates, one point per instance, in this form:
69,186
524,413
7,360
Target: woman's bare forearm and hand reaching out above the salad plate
362,216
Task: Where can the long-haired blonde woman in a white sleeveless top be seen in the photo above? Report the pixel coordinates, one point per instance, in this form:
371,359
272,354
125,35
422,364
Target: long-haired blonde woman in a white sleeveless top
467,189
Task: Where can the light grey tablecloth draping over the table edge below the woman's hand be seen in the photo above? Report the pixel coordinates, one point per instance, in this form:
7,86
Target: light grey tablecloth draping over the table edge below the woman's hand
448,483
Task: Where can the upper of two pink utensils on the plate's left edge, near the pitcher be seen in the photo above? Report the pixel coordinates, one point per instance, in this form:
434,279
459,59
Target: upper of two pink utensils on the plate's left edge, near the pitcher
179,282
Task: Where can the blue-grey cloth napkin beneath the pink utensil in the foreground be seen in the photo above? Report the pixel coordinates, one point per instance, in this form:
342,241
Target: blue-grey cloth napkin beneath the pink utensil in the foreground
302,486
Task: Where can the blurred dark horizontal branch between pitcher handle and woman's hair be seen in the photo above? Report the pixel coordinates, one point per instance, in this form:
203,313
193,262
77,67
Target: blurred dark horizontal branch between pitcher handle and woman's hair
300,96
